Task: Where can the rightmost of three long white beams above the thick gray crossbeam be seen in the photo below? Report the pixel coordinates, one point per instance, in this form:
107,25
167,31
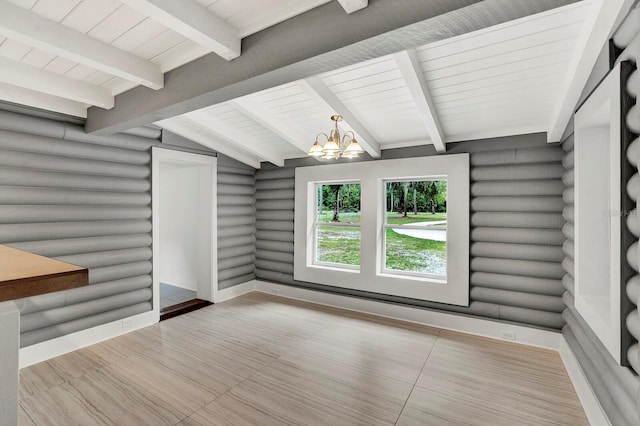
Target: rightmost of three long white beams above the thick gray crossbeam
194,21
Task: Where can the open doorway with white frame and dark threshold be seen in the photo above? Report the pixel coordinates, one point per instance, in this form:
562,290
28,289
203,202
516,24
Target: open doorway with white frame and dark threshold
184,228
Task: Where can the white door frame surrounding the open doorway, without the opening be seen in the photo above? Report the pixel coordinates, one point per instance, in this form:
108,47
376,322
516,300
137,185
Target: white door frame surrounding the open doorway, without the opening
207,287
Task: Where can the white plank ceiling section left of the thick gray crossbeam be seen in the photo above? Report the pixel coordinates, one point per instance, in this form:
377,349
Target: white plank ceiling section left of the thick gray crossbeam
124,26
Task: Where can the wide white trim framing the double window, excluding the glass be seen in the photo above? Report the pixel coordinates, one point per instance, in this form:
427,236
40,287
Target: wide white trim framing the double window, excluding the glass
370,277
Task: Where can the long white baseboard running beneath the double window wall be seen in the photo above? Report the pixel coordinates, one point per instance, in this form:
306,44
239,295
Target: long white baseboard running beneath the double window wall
493,329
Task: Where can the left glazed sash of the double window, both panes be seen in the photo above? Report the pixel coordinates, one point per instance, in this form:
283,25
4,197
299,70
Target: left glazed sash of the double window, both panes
337,236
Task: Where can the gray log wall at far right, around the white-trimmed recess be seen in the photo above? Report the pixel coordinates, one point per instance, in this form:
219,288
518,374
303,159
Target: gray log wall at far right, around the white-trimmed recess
617,388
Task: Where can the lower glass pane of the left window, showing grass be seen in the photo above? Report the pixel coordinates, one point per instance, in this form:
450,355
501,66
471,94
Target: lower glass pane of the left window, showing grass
338,244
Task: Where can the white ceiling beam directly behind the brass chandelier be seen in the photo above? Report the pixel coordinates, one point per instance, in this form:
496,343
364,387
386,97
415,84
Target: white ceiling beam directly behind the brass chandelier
315,88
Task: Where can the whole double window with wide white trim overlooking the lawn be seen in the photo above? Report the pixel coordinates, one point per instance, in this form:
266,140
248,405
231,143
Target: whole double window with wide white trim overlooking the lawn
372,245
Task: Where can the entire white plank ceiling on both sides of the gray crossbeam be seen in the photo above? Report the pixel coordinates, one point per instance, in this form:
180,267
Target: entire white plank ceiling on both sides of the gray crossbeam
502,80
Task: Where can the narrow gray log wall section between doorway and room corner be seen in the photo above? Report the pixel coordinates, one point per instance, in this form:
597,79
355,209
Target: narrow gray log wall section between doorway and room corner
236,222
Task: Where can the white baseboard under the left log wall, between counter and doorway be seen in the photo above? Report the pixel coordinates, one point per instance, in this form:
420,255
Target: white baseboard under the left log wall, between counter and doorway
61,345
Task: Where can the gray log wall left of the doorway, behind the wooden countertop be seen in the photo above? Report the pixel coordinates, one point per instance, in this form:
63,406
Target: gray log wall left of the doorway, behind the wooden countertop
84,200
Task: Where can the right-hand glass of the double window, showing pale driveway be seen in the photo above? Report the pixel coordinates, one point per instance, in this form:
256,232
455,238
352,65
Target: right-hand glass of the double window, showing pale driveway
418,244
